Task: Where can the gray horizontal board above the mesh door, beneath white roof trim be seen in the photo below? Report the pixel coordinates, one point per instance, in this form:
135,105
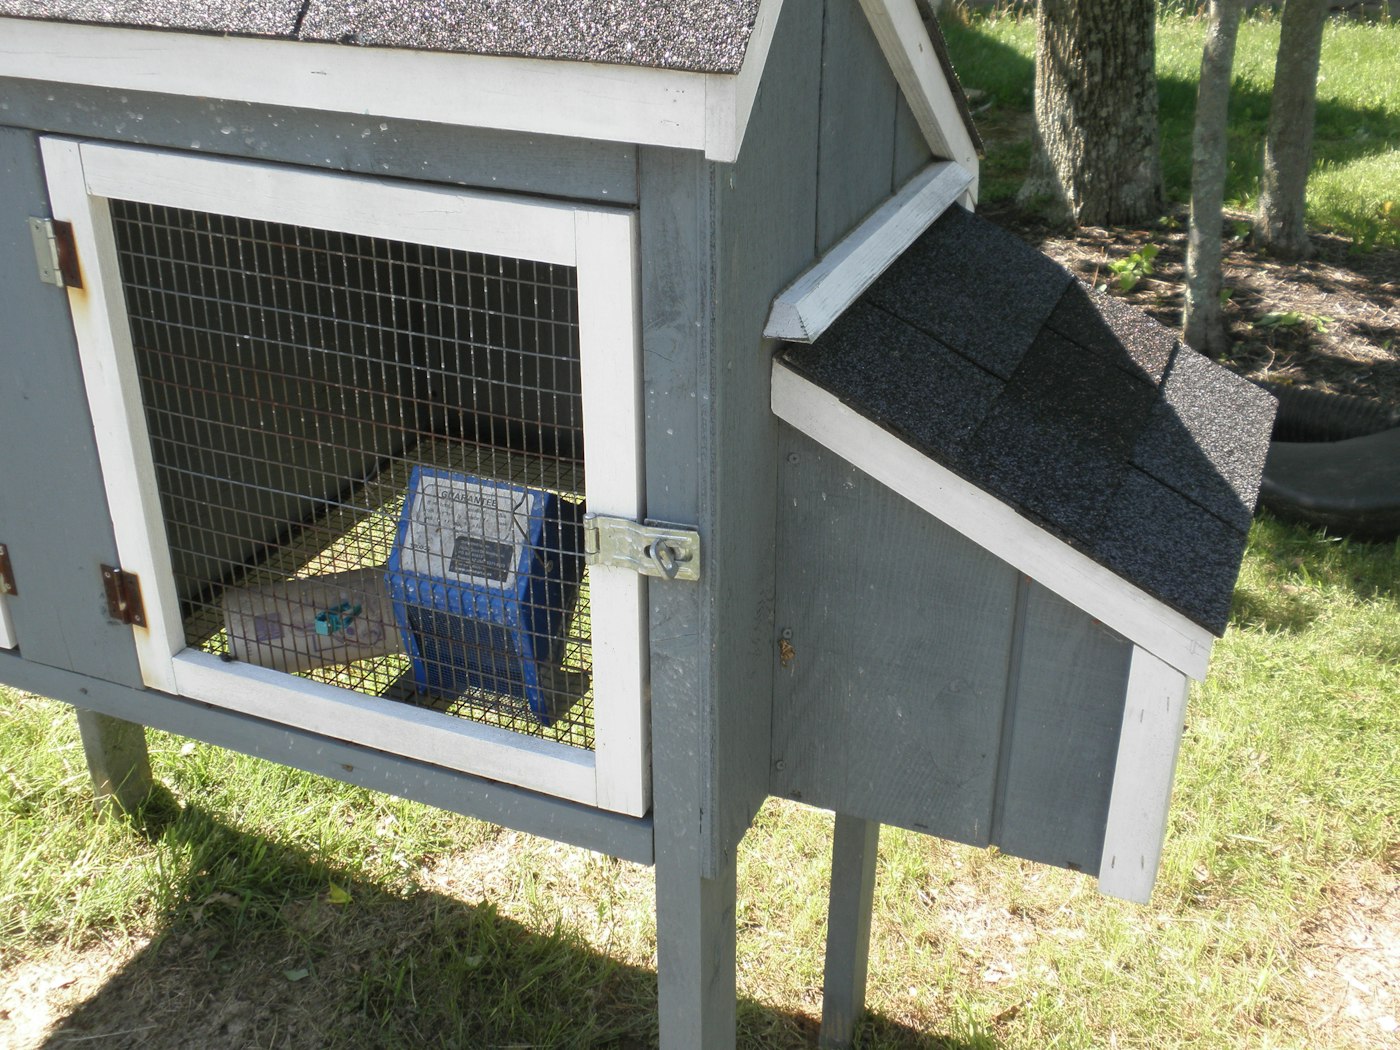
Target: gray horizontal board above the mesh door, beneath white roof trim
373,146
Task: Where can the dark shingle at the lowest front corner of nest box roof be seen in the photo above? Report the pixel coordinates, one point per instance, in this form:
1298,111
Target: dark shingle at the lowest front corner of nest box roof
1172,548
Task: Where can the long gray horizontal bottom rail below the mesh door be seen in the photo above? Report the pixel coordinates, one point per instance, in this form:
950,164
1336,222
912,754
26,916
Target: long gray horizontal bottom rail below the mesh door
502,804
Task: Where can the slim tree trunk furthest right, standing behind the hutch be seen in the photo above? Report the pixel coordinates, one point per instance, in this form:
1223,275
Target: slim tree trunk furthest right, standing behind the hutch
1279,226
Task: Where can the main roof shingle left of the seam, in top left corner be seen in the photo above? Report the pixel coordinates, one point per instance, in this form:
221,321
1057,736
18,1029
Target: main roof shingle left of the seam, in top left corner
253,17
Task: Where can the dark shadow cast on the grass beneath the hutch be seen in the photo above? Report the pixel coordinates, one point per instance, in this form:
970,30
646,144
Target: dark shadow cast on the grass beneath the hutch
269,947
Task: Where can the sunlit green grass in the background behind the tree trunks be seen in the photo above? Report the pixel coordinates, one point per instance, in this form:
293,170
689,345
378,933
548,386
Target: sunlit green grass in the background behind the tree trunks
1354,187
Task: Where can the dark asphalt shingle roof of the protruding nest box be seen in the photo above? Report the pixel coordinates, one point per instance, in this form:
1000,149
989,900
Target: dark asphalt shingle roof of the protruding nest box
1080,412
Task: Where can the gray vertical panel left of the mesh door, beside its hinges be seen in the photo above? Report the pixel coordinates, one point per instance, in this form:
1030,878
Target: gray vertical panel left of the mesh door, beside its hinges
54,512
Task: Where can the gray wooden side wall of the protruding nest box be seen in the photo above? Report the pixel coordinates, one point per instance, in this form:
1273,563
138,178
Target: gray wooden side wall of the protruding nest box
929,685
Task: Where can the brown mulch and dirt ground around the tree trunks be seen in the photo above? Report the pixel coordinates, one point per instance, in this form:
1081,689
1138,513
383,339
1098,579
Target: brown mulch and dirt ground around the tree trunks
1331,323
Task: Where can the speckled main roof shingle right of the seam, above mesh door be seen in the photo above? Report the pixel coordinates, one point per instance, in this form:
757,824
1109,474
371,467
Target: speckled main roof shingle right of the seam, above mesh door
705,36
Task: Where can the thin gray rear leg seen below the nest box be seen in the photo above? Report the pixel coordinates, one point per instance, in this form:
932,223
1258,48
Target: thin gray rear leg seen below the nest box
849,929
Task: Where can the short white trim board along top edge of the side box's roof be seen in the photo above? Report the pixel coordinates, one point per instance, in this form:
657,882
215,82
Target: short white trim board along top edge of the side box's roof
806,309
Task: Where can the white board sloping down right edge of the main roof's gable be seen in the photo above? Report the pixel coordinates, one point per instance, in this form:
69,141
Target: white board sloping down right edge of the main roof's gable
899,29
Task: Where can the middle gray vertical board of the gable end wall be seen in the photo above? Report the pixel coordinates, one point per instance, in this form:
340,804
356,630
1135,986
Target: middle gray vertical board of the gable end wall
857,143
